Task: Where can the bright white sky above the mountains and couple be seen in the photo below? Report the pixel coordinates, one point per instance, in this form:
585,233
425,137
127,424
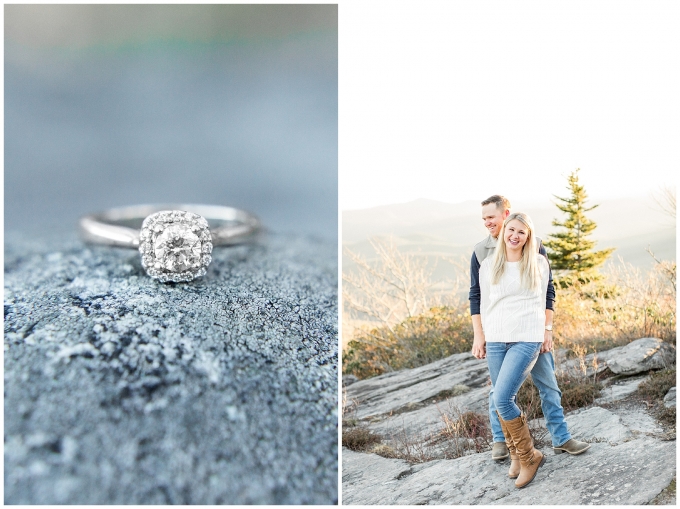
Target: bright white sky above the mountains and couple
459,100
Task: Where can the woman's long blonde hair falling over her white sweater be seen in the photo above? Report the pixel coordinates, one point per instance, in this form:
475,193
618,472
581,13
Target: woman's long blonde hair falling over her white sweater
530,275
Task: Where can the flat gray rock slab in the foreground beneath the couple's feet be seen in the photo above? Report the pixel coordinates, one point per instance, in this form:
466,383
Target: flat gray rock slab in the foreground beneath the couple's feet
633,472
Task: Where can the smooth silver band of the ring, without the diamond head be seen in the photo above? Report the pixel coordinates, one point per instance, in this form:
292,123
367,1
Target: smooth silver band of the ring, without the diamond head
109,228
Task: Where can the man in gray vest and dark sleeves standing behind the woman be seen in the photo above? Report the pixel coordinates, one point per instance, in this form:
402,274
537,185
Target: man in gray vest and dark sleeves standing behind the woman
494,211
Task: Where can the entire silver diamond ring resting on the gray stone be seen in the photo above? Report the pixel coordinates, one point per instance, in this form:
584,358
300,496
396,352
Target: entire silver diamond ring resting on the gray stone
175,241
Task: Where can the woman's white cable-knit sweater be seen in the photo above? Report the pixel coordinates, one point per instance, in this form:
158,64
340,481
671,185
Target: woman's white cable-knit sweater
509,312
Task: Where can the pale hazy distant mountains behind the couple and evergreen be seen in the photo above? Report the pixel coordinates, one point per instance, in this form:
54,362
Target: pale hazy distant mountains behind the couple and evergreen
438,229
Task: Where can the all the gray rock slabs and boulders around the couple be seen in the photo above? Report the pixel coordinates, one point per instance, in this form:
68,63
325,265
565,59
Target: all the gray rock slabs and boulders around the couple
631,460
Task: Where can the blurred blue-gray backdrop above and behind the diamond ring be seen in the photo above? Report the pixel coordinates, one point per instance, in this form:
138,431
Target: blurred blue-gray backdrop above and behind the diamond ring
112,105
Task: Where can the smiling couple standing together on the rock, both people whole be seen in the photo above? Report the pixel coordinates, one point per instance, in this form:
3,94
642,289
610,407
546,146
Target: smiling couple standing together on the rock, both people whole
511,303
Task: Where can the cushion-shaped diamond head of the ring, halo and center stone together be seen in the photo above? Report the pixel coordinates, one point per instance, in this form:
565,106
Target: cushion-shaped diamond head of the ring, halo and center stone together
175,246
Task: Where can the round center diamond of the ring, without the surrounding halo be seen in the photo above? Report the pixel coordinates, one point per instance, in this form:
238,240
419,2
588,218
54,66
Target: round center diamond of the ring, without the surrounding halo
178,248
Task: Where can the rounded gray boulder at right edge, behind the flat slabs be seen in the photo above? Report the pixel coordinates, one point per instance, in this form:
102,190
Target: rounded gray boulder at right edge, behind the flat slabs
639,356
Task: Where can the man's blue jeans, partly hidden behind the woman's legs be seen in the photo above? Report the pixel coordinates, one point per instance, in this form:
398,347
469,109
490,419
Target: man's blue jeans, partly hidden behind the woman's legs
543,375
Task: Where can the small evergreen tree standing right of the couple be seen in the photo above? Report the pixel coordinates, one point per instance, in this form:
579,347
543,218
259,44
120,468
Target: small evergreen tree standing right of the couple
571,251
